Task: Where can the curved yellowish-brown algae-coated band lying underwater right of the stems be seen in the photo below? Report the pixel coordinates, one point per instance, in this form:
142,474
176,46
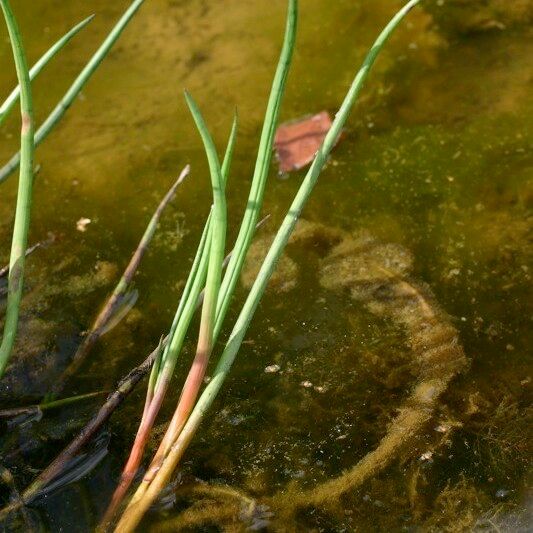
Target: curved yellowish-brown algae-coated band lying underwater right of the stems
377,276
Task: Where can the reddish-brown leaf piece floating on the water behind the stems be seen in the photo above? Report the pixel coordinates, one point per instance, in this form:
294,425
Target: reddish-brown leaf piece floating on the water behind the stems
296,142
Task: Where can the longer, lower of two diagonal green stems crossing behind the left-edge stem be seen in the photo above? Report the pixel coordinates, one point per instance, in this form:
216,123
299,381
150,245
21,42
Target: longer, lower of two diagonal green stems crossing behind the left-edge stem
61,108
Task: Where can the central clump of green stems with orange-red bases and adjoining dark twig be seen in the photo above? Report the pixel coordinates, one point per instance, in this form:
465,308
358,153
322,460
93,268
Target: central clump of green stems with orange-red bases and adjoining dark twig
207,269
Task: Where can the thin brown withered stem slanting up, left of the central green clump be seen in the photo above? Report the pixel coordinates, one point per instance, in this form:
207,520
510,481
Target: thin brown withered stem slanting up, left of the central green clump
118,295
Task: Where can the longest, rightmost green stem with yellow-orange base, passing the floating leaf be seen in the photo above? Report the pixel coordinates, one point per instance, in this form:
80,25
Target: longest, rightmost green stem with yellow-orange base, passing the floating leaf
142,500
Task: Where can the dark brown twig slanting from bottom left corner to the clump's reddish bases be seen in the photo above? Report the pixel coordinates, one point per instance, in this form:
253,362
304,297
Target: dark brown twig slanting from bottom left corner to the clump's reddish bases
124,388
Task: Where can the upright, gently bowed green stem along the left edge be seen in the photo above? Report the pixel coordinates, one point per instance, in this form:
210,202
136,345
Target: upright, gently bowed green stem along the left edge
24,196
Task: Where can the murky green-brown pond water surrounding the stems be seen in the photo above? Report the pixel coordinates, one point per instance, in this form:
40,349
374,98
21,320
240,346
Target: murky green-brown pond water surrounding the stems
435,161
